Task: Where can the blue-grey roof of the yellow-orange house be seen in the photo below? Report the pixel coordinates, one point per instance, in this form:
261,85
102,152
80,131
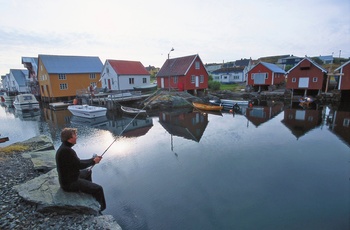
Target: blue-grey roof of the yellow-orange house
71,64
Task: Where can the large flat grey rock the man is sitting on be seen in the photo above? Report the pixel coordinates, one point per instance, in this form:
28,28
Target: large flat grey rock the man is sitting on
49,197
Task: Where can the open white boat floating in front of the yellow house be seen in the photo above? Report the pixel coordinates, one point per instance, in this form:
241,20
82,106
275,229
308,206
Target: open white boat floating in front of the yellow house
87,111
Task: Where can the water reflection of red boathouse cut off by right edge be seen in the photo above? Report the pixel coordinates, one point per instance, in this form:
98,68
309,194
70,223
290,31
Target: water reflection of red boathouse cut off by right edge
339,123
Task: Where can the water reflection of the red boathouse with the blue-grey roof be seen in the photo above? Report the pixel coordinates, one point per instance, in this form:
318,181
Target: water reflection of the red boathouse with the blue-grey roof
263,111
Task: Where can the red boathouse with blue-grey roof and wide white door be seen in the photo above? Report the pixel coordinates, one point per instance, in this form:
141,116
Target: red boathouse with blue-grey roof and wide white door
264,74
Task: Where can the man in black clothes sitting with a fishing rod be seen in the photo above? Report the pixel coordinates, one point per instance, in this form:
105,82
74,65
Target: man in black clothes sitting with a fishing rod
72,173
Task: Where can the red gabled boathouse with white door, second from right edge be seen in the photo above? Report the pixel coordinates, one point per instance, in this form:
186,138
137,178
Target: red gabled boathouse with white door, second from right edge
306,78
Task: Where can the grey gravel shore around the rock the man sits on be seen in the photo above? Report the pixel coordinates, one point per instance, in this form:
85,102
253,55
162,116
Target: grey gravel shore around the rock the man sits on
16,213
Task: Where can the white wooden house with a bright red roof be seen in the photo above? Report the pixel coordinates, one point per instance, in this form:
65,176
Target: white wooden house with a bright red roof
124,75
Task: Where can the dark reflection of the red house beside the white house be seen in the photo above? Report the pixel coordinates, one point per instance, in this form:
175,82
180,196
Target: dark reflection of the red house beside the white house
186,124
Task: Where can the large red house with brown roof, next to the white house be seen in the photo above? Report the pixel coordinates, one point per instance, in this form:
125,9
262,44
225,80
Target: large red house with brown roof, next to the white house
183,74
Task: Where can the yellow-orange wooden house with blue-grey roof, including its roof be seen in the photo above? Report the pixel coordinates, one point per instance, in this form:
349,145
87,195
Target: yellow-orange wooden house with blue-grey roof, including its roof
62,77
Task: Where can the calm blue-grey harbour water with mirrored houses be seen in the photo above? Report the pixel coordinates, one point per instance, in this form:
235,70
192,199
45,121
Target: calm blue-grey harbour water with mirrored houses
273,166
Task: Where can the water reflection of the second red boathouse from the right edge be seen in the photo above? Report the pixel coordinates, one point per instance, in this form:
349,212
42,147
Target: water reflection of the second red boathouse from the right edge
300,121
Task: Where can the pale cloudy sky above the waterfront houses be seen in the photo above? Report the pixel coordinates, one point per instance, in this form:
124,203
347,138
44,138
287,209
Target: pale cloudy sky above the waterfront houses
139,30
